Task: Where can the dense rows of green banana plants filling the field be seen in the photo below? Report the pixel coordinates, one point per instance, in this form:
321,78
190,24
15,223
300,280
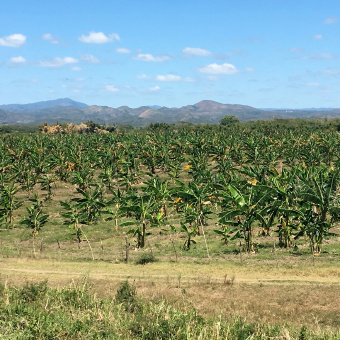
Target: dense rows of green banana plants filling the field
178,179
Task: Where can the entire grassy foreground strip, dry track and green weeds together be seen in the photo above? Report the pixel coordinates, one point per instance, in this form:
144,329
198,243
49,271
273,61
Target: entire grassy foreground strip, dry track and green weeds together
44,299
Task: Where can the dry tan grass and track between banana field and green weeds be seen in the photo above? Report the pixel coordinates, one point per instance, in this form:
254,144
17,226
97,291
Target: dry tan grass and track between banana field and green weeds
298,296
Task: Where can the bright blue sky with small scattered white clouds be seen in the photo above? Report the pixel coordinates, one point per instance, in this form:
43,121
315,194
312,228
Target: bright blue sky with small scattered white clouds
262,53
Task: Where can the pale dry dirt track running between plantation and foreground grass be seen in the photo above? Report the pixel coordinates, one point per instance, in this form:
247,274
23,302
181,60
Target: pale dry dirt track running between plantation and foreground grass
17,270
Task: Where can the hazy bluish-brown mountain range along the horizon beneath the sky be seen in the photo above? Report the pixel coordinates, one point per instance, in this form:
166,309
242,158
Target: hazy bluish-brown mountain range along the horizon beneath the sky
206,111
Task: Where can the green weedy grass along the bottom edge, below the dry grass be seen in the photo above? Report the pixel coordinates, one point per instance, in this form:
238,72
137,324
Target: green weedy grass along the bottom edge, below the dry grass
36,311
